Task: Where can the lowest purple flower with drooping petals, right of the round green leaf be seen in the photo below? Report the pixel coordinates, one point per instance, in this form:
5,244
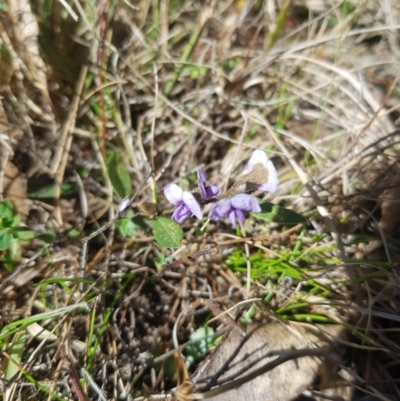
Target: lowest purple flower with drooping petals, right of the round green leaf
234,208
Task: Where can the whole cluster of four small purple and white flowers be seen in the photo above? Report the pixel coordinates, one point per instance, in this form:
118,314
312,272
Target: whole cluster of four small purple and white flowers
261,175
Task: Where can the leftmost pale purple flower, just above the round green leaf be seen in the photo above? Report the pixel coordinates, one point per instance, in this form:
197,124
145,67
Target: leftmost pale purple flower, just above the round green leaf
186,202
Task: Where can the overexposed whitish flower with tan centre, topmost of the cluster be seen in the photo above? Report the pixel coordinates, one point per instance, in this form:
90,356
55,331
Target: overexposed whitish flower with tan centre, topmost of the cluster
265,175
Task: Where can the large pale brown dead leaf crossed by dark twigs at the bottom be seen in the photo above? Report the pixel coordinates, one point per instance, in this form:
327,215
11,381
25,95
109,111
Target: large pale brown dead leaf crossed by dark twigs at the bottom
240,356
